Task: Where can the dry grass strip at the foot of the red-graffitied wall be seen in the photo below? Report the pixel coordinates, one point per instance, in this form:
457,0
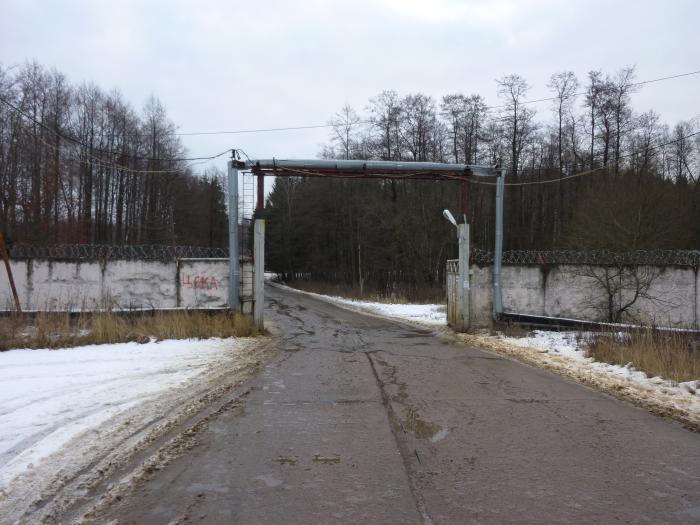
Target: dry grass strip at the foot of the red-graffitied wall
60,330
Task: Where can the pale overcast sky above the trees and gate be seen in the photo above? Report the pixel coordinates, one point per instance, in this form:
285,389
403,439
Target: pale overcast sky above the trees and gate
228,65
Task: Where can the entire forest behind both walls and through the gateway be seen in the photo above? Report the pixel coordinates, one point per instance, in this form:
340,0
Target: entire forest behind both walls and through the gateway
585,170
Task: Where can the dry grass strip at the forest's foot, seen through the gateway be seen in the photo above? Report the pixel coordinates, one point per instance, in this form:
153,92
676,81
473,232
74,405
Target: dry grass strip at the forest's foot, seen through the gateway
421,295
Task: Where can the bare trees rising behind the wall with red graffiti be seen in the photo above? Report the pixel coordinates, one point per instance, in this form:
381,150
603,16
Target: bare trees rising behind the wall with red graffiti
80,165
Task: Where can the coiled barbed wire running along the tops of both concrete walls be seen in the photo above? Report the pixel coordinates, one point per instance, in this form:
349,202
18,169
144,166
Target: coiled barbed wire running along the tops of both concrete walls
159,252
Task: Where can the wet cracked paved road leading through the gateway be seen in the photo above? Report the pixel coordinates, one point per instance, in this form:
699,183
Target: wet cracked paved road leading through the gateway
363,420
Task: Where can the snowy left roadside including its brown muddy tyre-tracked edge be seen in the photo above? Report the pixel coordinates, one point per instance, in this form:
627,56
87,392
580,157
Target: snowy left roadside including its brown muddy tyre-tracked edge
63,412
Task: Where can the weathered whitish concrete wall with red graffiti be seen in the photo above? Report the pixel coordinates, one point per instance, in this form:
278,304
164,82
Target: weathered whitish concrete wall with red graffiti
59,285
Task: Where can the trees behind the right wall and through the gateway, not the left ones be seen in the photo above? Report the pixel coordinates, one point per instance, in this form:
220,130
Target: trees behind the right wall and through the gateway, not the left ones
643,194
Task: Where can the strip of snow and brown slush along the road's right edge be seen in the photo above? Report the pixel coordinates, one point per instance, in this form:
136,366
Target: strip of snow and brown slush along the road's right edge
562,353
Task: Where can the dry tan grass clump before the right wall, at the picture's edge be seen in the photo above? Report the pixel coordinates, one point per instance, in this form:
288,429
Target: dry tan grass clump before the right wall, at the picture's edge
671,355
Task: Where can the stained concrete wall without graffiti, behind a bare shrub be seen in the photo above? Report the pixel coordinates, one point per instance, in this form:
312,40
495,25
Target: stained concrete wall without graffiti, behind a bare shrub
562,291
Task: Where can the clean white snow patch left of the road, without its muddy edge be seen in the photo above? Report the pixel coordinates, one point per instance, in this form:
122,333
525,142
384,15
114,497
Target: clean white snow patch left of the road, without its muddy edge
48,397
